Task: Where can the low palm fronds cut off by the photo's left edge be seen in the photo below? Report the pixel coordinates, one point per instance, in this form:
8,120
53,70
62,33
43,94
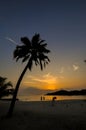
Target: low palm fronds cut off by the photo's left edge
5,87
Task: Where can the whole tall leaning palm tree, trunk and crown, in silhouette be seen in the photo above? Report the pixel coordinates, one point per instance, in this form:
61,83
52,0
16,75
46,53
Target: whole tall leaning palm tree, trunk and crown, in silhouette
32,51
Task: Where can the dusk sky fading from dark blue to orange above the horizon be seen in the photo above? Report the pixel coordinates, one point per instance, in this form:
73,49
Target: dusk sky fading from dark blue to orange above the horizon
62,23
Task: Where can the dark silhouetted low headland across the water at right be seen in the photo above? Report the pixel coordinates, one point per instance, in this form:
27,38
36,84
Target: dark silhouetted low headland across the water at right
68,93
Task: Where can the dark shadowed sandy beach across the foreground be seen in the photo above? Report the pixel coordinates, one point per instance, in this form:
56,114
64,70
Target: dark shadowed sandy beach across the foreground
40,115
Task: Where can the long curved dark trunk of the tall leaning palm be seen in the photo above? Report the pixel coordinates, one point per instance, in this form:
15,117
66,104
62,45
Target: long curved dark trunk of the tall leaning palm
10,112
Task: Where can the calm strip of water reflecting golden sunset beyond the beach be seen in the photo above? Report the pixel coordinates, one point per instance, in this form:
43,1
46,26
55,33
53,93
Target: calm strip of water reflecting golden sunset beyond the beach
48,98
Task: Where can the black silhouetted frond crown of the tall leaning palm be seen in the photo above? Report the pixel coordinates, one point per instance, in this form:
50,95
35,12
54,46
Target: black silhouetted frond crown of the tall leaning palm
33,51
